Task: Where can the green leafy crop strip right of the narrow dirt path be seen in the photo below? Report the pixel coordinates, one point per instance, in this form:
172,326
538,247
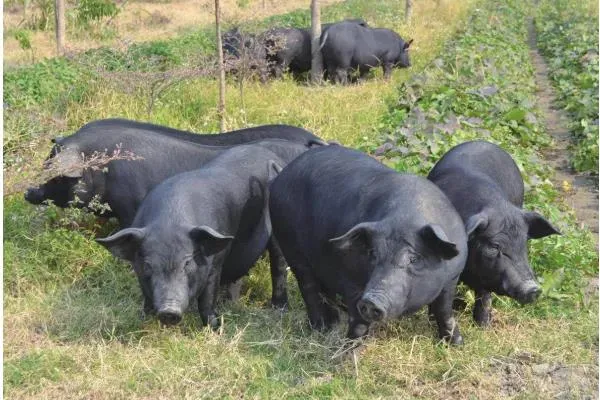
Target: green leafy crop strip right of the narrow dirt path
568,38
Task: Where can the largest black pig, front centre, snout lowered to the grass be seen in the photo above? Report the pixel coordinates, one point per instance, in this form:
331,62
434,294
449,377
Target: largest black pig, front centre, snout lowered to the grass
388,243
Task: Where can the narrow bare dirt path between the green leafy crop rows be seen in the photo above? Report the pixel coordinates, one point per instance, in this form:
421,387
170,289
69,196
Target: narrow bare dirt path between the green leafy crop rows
579,191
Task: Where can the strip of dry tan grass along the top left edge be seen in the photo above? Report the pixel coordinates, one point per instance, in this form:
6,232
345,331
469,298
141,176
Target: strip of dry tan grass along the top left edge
145,21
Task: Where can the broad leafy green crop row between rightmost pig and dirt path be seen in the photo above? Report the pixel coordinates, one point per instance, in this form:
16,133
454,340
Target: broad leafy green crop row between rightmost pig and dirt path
482,87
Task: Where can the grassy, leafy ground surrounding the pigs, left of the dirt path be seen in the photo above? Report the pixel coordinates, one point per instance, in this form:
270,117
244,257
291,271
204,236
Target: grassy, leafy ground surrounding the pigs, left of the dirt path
72,326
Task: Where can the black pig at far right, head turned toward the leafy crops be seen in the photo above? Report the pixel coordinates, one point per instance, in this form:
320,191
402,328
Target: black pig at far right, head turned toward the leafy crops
485,185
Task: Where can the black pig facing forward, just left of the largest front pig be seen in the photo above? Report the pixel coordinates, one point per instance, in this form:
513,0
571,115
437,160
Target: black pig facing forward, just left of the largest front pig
202,228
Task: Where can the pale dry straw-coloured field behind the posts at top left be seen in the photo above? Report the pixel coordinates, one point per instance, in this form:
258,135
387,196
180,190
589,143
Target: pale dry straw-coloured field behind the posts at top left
136,21
